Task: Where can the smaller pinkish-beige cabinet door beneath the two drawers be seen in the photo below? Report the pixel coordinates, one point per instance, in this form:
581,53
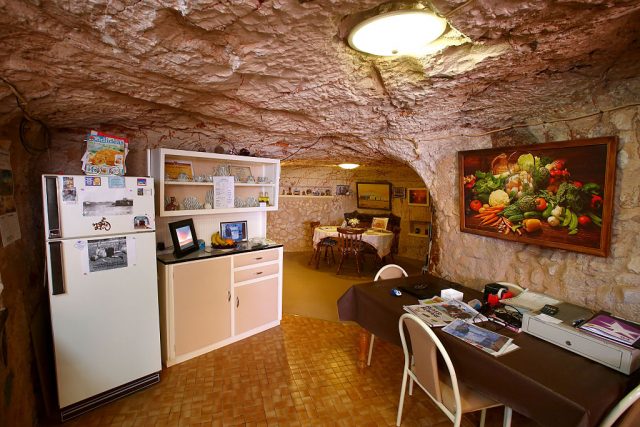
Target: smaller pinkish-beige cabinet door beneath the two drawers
256,305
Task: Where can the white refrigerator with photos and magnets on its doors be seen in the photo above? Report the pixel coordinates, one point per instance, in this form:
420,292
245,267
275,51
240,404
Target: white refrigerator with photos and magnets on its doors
102,283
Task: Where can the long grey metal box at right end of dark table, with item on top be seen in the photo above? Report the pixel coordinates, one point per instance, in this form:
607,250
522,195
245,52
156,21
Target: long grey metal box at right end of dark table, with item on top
619,357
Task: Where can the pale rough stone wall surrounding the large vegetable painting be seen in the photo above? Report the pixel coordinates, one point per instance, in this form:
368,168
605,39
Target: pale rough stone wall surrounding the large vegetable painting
611,283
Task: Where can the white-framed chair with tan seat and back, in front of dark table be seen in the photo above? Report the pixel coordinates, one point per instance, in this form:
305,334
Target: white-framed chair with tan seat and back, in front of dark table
442,387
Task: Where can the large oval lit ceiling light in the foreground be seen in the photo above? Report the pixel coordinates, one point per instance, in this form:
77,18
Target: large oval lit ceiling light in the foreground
402,32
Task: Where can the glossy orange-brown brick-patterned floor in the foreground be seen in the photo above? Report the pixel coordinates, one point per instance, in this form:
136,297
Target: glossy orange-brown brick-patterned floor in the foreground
301,373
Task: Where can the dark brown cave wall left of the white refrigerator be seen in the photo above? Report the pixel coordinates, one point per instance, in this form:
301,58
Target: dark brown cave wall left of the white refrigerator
21,267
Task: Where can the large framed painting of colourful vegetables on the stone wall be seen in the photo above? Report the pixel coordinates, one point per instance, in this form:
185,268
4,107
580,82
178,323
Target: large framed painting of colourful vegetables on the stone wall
557,194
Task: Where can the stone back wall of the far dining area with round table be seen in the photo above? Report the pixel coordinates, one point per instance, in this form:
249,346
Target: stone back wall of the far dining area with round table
290,224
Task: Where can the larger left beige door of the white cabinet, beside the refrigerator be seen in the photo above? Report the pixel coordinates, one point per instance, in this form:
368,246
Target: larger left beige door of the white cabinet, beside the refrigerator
201,304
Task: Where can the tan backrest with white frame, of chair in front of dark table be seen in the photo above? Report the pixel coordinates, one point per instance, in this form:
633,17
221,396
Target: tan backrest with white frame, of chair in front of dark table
425,346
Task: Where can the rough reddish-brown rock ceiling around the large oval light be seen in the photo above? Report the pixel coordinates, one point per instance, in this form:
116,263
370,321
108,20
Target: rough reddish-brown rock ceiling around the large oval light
276,76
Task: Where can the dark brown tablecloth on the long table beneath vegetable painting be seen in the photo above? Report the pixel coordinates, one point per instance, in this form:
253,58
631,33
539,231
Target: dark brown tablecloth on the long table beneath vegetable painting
550,385
